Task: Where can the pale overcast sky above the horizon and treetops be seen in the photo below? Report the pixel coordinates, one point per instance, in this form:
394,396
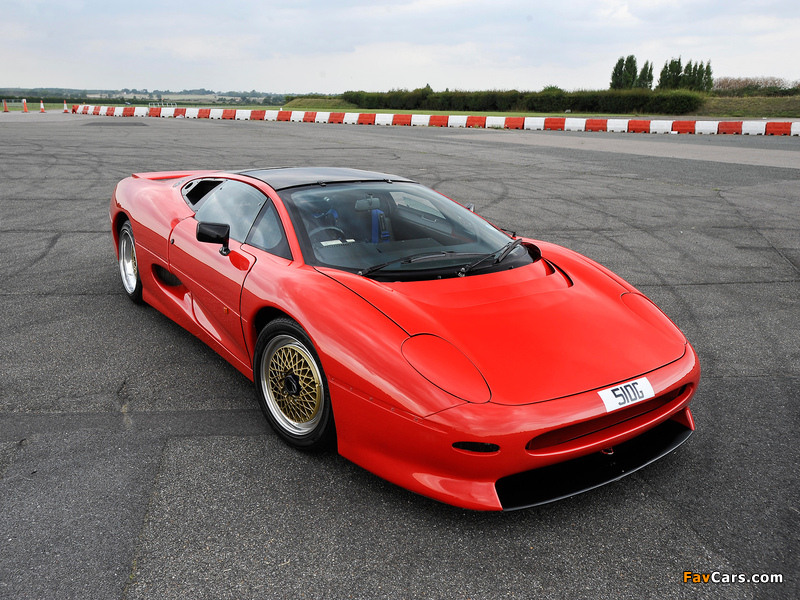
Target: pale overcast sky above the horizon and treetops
297,46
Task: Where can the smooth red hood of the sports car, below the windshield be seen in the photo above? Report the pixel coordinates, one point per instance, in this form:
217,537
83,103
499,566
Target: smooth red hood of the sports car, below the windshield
558,327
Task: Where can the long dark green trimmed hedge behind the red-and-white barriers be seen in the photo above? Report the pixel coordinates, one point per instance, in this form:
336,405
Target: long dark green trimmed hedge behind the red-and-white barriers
673,102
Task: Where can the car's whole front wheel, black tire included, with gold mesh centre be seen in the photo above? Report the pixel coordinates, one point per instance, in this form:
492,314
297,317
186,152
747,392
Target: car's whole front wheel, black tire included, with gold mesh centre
292,388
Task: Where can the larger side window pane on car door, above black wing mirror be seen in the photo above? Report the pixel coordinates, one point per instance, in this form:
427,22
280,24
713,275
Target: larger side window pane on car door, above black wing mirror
234,203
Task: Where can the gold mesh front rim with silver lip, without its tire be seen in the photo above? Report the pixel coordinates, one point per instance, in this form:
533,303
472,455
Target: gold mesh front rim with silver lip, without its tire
292,385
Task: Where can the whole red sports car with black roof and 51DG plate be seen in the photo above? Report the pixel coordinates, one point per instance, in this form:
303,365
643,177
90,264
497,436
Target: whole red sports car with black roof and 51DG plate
378,317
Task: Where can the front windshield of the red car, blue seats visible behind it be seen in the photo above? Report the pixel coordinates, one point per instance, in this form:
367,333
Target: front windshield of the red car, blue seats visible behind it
396,231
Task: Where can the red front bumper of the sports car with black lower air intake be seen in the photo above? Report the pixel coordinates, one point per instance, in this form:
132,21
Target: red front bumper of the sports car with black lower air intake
545,451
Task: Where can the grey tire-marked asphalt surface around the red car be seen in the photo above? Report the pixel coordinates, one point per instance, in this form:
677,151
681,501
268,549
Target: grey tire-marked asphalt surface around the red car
135,464
